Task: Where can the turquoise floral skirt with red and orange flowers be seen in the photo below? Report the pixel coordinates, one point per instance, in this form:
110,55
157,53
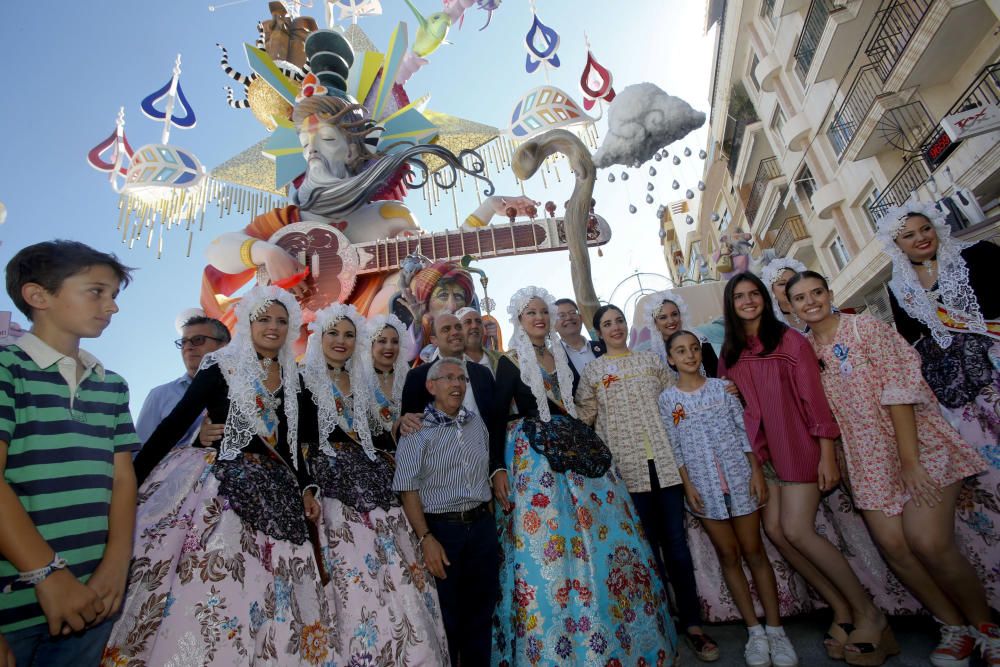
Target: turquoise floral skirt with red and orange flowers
578,584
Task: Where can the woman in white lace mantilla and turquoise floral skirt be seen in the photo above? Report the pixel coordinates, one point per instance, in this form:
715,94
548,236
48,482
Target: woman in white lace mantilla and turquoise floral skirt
578,582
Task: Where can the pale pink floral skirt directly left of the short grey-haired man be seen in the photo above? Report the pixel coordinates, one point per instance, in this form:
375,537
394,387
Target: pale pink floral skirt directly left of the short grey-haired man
383,598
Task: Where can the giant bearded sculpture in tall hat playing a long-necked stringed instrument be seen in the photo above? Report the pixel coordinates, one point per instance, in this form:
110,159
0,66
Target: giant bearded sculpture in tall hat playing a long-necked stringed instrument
347,233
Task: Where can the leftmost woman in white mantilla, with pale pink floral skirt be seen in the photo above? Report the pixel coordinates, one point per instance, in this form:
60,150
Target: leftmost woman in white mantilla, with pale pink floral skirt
223,571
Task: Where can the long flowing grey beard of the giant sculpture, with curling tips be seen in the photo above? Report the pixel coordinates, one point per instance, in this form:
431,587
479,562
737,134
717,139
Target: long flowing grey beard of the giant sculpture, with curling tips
329,196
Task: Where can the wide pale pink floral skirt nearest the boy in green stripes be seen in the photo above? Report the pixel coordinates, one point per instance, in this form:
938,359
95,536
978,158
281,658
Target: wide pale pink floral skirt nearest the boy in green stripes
205,588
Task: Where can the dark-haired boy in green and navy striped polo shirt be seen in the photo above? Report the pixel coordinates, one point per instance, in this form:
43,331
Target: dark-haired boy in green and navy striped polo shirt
67,489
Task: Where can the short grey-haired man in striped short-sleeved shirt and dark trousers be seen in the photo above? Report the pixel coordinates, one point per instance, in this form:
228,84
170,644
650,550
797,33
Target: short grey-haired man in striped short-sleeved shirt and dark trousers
442,473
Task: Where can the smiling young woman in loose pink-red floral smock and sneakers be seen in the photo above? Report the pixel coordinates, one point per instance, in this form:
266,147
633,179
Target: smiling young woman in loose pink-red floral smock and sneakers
905,463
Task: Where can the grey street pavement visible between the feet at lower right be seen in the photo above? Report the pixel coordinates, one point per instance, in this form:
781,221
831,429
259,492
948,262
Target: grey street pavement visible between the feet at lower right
916,636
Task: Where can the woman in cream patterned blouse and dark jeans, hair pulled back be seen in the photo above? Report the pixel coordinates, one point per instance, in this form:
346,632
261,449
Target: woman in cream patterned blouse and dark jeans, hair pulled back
618,394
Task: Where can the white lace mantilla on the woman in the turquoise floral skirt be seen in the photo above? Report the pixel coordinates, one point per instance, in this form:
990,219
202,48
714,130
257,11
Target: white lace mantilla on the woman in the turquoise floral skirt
531,371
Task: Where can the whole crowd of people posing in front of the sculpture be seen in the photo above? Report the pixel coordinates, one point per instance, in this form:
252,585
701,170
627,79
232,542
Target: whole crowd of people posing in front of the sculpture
534,504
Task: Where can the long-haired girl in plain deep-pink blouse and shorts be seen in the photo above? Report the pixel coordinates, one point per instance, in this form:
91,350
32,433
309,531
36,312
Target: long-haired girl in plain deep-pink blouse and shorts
792,431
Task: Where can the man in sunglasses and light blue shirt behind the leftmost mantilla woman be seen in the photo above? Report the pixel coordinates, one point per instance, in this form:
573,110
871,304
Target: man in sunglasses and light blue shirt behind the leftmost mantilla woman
199,336
